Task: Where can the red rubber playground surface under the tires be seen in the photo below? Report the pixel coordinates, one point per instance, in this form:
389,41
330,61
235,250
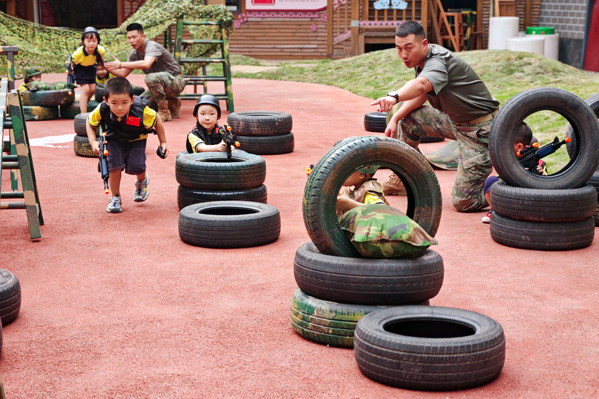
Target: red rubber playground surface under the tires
117,306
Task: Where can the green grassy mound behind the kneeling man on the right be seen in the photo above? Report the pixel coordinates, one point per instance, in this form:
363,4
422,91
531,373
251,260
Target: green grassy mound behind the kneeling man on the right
506,73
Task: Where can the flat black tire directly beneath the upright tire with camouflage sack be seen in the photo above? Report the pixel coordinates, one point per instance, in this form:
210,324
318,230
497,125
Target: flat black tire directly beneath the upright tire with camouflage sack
368,281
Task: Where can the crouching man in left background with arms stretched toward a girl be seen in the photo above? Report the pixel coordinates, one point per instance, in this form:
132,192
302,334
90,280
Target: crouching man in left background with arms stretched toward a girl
163,74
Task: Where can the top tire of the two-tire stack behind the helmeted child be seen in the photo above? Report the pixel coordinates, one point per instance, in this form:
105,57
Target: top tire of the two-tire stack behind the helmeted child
260,123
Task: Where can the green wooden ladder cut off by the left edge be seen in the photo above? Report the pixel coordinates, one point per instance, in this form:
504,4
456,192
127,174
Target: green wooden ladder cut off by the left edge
18,157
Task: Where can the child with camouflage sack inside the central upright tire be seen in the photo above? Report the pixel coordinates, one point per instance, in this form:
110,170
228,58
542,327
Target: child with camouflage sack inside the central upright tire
376,229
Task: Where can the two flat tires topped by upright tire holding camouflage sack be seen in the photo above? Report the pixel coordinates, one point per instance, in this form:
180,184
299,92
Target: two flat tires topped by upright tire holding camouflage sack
336,286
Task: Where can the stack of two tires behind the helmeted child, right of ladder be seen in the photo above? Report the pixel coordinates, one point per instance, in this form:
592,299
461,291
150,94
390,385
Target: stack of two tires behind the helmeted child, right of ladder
263,132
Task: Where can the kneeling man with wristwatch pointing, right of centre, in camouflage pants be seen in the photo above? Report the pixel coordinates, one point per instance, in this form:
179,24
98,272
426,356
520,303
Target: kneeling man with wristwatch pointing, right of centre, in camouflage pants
461,108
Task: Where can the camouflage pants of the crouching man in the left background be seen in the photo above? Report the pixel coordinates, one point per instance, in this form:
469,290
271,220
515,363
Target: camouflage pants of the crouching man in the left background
163,89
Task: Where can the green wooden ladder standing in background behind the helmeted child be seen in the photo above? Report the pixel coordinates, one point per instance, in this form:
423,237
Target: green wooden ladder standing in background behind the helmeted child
204,78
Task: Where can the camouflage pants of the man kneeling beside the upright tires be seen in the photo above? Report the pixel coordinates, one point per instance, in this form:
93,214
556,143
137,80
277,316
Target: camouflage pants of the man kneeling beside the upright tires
474,163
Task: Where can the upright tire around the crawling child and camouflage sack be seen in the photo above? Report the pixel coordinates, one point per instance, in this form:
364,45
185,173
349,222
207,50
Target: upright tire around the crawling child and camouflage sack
326,178
